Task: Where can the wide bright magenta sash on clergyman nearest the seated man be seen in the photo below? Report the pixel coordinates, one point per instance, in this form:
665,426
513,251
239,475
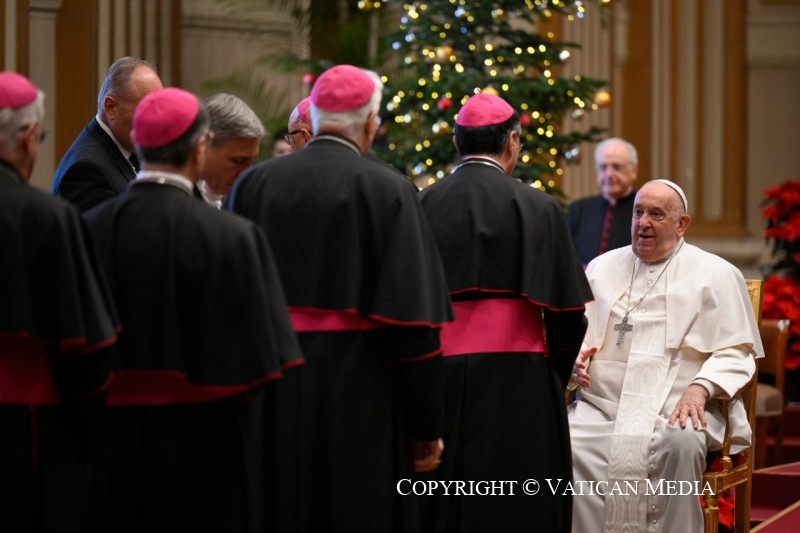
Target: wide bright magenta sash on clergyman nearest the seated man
493,325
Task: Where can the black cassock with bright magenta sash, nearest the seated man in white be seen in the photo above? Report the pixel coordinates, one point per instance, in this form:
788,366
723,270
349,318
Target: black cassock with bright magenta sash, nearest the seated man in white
513,274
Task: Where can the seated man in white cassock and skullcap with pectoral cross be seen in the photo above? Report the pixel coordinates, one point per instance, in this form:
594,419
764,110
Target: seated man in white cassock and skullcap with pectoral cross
671,332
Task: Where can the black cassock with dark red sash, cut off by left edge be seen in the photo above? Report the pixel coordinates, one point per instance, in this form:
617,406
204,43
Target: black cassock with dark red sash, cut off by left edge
56,322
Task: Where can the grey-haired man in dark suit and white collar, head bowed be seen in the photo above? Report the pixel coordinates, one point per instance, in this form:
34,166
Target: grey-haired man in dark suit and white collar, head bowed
102,160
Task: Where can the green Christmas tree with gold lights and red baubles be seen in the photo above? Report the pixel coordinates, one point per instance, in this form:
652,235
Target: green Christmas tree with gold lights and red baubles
449,50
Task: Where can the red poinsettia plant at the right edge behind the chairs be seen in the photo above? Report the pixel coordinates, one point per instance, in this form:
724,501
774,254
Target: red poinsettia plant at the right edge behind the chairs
782,285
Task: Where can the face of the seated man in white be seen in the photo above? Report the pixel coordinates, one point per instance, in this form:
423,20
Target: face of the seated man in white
658,222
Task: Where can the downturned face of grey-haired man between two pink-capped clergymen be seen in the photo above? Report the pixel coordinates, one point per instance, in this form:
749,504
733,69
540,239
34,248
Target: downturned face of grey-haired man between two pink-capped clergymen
224,162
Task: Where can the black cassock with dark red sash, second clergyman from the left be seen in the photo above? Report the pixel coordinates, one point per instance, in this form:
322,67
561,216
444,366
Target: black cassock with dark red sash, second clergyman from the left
204,327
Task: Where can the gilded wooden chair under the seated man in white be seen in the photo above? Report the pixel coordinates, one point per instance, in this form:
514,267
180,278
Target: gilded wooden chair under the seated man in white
725,472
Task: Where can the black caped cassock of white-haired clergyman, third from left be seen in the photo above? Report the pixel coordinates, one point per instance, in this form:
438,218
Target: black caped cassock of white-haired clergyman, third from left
367,294
